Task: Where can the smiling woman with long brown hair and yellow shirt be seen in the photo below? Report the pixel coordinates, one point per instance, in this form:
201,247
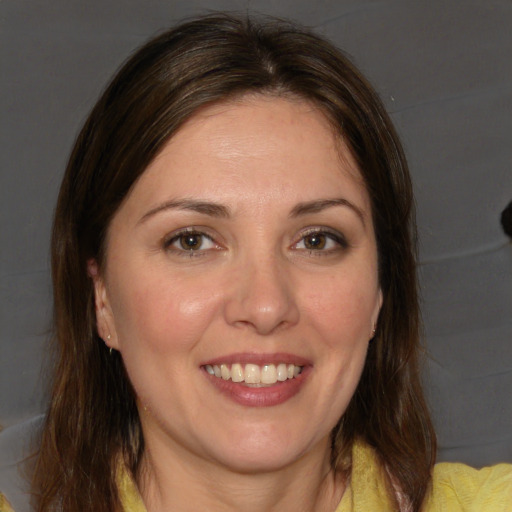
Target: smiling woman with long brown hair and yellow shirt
236,315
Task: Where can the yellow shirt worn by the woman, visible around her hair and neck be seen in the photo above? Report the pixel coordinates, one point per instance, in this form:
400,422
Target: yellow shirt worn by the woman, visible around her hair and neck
455,488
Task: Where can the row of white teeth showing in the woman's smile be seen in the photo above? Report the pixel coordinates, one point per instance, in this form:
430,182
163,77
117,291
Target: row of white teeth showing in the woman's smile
254,375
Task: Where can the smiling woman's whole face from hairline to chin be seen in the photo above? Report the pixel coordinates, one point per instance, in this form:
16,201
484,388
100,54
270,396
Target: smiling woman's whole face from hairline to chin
240,285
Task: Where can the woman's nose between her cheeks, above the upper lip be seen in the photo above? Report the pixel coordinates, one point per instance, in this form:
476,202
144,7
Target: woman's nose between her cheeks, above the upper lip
262,298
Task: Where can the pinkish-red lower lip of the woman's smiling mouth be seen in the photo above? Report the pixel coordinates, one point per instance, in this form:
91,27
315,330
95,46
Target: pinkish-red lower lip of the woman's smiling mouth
267,396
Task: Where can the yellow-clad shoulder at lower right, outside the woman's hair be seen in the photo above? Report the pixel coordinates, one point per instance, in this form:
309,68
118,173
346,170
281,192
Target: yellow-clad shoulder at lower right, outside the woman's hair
462,488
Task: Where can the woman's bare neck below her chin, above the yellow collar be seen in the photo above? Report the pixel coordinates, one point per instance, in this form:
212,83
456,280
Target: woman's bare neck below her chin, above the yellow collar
170,480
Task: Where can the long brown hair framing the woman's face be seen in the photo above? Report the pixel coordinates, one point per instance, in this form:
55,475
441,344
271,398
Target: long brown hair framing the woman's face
92,417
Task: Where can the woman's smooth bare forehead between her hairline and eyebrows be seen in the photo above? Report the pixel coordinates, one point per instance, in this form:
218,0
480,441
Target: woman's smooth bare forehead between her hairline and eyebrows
255,148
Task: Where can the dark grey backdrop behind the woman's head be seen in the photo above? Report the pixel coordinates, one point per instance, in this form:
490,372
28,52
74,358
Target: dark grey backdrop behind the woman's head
444,71
